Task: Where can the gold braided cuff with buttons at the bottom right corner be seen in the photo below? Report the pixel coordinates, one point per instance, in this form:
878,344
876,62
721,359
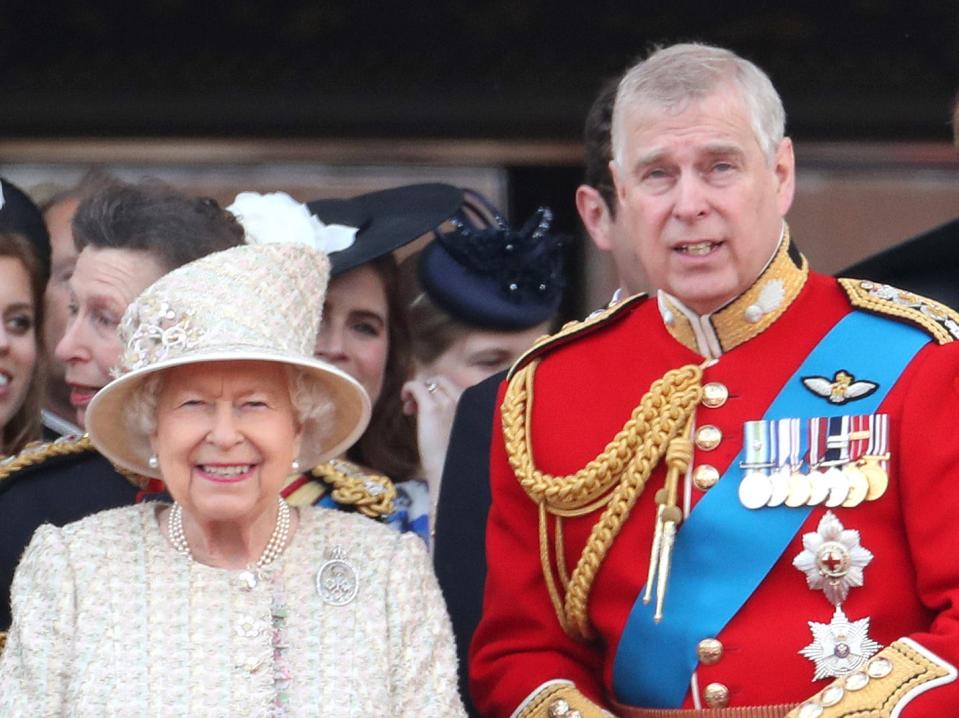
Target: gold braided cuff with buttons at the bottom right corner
876,694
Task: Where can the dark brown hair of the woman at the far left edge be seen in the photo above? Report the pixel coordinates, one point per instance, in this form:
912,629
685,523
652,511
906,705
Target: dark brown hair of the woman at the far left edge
24,425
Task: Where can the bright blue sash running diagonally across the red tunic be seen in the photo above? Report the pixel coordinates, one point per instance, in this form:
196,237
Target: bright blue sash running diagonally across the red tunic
724,550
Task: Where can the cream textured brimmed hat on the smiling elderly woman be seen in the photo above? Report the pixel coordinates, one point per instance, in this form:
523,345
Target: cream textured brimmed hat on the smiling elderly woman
250,303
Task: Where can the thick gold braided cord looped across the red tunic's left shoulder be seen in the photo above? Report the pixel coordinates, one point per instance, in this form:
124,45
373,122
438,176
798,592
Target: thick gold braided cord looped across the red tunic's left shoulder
614,479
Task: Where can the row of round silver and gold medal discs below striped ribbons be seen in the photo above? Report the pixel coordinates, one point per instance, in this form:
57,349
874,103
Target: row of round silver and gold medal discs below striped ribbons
847,485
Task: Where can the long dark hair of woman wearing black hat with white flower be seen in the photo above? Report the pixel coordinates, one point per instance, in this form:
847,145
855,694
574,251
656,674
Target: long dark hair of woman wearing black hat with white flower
389,443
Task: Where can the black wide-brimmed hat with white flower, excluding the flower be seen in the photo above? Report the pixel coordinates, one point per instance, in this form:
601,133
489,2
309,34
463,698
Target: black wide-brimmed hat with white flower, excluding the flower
386,220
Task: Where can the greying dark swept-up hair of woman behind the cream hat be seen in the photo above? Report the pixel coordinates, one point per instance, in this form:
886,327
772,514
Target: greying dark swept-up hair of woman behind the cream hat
153,217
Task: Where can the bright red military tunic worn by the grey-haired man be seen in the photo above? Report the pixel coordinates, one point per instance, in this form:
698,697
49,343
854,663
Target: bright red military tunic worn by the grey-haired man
587,387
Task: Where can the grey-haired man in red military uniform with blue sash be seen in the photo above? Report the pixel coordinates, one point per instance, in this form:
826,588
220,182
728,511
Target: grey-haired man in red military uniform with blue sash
735,497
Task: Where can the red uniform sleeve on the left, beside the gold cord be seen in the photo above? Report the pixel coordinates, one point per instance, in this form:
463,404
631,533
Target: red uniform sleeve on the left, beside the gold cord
519,644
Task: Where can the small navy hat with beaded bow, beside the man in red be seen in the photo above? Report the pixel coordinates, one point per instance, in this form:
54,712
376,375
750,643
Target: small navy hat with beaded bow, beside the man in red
488,274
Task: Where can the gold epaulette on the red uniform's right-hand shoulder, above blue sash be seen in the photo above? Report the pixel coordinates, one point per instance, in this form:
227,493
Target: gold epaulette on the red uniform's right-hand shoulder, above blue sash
941,321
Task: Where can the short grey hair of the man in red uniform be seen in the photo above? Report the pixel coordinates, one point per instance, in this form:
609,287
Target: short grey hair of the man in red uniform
673,76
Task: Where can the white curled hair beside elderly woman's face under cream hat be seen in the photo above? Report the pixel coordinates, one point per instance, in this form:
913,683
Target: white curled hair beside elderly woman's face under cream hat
311,403
